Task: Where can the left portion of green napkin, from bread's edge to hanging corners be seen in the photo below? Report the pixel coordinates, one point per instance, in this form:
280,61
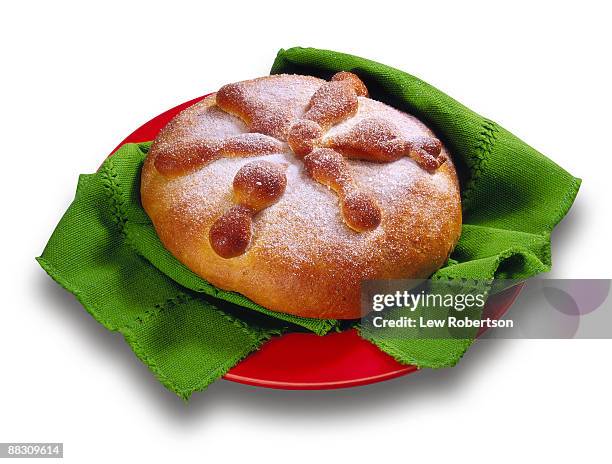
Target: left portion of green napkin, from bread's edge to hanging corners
106,252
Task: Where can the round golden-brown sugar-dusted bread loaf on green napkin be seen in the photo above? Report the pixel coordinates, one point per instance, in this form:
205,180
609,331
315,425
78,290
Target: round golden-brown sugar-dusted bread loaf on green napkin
292,190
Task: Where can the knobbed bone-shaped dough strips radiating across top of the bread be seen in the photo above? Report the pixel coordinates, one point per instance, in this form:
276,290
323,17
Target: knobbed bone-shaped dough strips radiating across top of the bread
260,184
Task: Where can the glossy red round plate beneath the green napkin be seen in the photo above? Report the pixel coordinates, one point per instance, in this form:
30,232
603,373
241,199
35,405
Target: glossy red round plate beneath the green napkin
302,361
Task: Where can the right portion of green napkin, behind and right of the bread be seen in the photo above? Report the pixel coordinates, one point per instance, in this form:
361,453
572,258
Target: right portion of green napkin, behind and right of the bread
512,195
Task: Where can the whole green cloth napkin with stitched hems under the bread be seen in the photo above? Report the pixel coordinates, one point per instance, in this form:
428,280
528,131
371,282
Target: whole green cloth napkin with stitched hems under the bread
189,333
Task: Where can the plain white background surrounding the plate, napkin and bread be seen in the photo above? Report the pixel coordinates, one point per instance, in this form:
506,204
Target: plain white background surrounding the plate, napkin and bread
76,79
